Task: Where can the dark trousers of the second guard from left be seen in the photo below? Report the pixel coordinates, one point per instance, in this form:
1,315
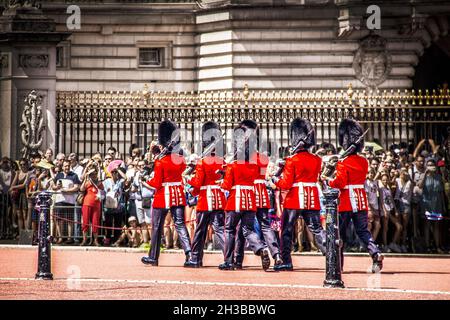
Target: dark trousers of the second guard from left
204,219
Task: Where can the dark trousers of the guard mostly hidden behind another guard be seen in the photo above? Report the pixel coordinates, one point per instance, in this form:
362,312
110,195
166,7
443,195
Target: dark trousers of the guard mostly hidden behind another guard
269,236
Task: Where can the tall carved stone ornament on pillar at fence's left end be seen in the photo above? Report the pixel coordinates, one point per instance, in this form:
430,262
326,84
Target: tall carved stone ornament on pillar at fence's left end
32,124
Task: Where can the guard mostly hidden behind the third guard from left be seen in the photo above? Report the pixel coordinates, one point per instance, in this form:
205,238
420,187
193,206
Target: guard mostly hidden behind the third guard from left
262,204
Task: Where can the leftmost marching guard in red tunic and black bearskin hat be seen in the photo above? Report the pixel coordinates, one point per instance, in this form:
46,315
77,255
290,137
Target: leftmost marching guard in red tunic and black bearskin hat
167,181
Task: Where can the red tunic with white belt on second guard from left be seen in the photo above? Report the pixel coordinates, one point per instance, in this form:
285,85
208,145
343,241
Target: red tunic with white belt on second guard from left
210,197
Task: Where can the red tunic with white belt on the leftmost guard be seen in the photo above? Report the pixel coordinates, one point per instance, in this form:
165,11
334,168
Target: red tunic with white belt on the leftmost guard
168,182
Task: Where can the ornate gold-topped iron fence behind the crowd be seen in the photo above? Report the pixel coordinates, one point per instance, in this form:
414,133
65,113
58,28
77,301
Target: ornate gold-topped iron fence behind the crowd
89,122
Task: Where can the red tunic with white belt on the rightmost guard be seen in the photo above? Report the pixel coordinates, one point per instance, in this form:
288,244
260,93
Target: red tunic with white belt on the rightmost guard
350,177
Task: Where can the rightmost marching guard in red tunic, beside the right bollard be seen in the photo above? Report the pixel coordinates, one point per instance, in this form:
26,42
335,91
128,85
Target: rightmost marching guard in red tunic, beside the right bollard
351,173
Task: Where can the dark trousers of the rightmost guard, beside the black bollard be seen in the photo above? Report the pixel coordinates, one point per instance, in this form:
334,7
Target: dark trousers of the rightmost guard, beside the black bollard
361,228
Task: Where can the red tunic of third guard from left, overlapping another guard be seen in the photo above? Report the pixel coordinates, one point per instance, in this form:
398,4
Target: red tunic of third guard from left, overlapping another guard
239,180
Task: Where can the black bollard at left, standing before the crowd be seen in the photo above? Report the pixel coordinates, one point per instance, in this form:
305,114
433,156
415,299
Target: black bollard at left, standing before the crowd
44,237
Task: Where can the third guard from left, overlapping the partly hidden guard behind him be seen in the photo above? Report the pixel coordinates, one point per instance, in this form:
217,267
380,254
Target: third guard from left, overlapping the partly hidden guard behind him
241,207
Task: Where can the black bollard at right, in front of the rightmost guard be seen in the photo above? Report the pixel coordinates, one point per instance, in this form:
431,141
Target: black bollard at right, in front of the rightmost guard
334,243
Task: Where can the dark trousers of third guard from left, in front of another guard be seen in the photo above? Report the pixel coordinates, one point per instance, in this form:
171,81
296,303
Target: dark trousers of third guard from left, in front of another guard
247,219
